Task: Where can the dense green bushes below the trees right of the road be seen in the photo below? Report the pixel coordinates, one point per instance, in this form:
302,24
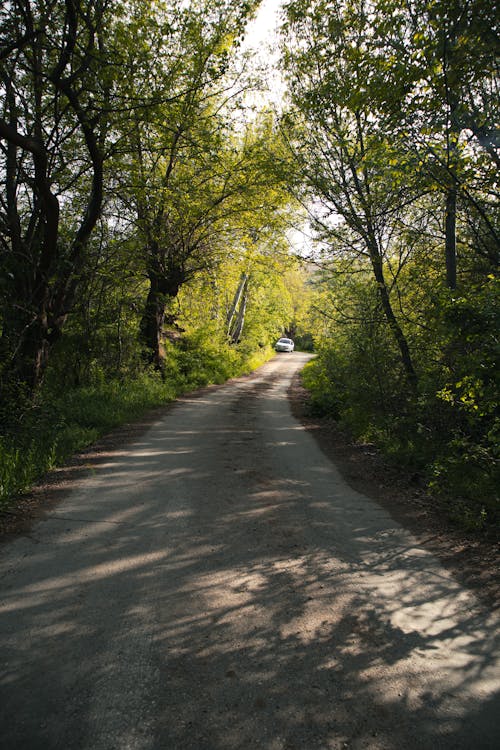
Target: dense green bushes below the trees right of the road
448,433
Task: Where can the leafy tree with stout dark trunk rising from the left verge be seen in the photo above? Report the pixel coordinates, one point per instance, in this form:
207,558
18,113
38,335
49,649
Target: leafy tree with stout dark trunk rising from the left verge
178,172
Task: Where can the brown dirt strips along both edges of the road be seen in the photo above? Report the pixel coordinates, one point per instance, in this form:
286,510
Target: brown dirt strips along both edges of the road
473,558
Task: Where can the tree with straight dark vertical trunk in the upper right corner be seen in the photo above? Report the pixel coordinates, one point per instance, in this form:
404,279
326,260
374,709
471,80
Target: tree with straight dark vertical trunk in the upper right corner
438,95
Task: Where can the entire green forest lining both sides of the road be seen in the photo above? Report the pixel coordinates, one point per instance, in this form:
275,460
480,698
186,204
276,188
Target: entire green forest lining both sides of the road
148,210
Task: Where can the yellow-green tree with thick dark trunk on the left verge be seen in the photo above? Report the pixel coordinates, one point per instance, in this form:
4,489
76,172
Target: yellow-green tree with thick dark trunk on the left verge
195,178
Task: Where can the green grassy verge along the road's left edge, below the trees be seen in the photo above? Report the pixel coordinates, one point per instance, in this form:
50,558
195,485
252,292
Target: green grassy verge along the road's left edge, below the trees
46,435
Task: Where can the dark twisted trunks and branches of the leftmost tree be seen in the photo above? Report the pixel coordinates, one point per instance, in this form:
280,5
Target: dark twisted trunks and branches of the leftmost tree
45,272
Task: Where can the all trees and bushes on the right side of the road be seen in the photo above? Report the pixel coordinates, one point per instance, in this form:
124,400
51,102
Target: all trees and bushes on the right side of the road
391,128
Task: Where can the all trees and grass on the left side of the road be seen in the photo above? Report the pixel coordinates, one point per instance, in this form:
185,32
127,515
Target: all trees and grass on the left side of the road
143,246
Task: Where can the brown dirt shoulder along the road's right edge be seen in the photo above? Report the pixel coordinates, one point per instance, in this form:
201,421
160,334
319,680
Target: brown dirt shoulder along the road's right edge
474,559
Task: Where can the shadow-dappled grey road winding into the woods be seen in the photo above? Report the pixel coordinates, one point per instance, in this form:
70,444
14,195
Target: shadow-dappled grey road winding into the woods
215,585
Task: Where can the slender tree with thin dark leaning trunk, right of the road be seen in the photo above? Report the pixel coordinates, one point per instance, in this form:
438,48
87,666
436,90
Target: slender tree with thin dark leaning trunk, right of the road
337,140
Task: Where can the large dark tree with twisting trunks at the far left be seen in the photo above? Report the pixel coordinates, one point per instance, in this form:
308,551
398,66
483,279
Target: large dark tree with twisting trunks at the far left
56,84
